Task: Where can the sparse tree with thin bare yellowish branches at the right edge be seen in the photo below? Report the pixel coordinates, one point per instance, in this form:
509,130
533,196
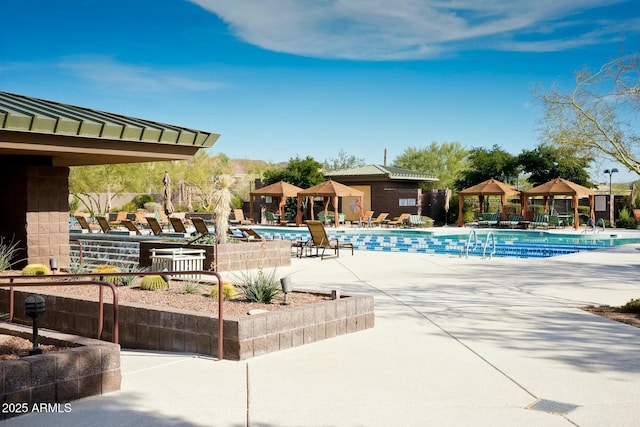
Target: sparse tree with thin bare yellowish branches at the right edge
600,115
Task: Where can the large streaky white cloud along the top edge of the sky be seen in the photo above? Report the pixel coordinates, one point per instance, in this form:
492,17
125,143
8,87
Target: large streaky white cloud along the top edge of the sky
409,29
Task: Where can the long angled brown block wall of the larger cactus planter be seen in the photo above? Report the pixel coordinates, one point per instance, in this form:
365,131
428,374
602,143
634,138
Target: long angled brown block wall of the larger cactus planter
168,329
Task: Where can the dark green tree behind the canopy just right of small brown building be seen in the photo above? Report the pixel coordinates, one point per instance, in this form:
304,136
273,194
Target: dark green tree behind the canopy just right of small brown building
486,164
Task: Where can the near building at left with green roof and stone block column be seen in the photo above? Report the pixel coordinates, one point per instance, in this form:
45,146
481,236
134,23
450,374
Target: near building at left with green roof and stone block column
40,140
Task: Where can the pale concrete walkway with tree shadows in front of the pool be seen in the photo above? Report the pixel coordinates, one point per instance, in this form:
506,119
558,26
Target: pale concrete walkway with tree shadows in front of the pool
457,342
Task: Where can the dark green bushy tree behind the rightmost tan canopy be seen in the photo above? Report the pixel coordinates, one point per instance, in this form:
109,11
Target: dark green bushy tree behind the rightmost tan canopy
546,162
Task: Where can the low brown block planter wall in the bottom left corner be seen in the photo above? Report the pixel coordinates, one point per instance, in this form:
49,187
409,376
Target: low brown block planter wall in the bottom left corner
91,367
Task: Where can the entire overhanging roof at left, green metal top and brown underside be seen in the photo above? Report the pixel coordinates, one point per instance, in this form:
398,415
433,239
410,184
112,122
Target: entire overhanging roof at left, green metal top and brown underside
73,135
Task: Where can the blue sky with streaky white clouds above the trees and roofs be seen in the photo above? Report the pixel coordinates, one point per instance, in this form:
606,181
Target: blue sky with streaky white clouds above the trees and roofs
285,78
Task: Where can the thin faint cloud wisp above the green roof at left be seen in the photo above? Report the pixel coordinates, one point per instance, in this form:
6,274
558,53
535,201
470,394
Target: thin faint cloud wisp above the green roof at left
109,73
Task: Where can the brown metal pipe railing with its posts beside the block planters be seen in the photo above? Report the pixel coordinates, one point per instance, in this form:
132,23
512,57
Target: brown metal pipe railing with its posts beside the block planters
101,276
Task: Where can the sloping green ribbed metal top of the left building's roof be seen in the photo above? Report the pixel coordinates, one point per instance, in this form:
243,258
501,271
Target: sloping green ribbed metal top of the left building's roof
23,113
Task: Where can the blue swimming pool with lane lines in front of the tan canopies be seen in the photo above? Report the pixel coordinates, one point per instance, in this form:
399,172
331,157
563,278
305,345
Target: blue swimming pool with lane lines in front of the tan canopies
467,242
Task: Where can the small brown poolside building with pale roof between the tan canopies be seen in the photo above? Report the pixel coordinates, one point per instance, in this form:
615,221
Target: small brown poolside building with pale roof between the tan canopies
386,188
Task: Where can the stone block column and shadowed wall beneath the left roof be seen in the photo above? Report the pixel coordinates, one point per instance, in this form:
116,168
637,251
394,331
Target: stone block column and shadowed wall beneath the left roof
34,210
